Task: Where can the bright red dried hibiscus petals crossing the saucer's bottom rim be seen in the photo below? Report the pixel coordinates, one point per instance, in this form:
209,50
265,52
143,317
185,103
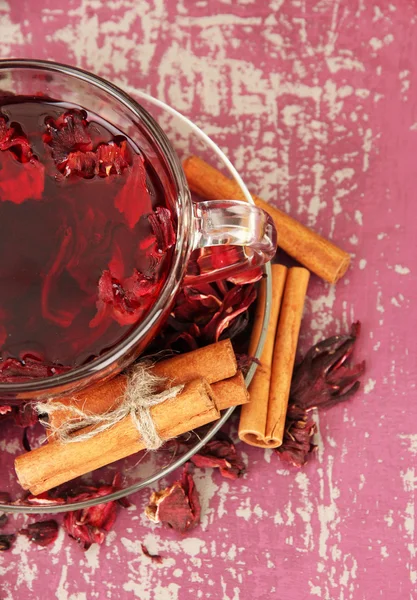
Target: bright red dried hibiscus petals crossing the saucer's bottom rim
90,525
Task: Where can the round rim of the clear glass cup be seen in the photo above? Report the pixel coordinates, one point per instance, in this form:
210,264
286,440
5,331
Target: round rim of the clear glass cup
181,252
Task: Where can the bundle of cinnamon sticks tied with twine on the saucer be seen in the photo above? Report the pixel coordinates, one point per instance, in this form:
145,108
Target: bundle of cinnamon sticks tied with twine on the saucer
212,382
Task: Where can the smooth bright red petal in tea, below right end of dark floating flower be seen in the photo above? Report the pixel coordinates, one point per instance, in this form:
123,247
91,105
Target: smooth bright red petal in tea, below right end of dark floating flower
134,200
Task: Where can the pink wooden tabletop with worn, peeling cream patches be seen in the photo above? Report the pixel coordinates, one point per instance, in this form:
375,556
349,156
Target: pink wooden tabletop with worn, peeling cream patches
315,102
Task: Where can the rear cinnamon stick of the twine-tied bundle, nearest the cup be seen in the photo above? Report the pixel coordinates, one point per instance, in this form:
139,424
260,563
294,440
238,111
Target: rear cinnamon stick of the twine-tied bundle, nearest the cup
214,363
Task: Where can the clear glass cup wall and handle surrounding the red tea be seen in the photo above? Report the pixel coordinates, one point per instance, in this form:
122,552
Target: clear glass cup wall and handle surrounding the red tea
200,226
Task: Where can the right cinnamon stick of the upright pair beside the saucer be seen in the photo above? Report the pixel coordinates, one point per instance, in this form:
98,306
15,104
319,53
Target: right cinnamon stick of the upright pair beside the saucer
285,349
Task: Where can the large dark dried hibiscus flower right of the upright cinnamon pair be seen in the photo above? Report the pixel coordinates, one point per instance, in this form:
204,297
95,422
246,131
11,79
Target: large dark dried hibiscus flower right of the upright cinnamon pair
322,379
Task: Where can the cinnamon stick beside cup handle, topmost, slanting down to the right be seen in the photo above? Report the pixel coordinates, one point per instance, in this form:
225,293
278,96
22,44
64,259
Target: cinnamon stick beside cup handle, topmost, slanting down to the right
310,249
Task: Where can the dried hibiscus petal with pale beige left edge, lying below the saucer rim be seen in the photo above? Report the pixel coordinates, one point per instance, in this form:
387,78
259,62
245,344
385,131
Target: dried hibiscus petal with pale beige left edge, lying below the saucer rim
177,506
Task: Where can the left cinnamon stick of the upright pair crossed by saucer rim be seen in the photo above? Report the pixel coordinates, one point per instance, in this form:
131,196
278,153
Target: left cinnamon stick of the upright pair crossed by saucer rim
254,426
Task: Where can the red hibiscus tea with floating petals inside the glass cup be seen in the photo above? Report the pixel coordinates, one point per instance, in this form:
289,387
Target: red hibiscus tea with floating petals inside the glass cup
86,237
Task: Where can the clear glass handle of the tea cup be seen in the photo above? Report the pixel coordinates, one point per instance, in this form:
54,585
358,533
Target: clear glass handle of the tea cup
230,236
